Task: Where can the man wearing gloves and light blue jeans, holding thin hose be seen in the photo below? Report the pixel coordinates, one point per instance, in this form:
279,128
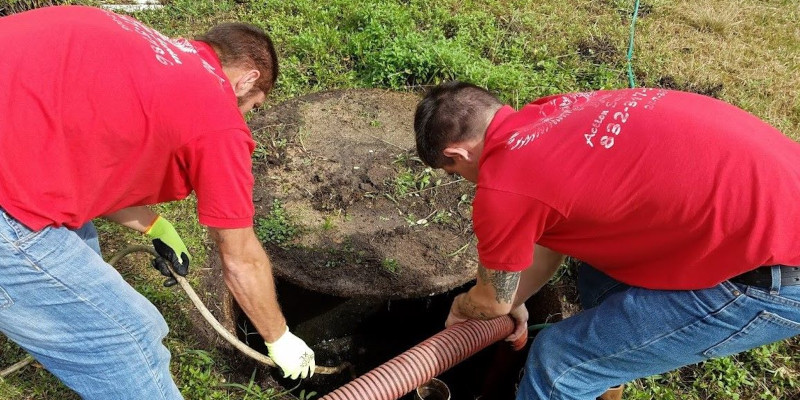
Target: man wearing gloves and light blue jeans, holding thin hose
101,116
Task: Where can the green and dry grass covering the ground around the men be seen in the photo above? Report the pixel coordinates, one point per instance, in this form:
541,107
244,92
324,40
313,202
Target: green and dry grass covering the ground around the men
746,52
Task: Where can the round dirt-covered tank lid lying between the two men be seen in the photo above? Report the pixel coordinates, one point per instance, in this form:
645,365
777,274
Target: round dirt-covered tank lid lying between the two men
366,216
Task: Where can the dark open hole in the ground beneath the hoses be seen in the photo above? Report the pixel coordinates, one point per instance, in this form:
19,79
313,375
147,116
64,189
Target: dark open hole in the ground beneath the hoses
367,332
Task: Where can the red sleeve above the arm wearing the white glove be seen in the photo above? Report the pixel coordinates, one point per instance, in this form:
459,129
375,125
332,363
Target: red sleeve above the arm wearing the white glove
220,171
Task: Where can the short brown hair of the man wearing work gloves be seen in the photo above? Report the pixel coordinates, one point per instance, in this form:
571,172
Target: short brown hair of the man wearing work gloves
247,46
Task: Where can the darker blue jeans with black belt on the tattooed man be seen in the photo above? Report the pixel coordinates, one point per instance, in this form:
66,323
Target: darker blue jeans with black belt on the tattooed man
625,333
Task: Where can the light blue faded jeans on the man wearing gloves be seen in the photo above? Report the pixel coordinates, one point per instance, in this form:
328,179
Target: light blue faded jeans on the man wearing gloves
76,315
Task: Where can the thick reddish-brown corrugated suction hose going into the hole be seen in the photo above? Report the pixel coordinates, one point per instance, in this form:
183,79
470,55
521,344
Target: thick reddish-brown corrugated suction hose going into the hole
422,362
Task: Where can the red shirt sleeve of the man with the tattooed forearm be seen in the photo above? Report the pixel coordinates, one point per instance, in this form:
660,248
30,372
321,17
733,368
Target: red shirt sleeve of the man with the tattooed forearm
507,226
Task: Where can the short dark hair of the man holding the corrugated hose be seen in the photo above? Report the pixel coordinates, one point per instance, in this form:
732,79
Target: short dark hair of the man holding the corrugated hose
450,113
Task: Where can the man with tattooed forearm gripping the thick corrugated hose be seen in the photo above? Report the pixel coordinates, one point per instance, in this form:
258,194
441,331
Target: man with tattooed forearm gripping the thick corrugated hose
682,208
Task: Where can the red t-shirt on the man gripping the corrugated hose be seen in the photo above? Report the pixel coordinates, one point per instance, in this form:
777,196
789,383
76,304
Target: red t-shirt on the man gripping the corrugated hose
657,188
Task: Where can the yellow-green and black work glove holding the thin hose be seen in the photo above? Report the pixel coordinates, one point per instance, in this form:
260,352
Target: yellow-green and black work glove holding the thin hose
170,248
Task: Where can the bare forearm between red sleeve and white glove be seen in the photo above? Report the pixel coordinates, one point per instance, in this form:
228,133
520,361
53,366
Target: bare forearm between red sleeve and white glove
248,274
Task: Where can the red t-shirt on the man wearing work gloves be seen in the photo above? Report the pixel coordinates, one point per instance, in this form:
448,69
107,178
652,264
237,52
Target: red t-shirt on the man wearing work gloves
99,112
